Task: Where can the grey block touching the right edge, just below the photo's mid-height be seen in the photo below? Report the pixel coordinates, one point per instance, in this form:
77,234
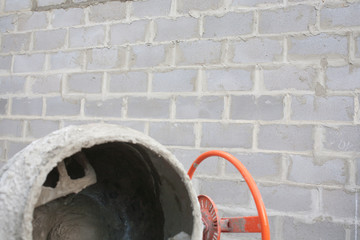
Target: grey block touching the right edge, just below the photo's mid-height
342,138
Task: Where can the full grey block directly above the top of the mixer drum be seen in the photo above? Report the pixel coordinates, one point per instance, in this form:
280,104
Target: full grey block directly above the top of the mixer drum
104,108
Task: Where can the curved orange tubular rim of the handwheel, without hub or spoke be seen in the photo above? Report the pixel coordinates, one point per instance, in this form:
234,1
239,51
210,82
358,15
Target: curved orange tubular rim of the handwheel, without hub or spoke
265,230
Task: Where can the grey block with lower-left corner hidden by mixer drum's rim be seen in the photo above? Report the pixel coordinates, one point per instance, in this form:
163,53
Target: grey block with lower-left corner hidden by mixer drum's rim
178,134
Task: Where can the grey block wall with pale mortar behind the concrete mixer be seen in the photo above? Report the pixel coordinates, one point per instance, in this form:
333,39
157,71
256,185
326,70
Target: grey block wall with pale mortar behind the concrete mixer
274,82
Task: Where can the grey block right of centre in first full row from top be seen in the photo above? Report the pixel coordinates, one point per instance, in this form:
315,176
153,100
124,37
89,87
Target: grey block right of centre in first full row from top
231,24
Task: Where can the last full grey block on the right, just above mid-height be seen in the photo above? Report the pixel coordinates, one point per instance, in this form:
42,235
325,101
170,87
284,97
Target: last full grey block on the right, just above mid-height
335,108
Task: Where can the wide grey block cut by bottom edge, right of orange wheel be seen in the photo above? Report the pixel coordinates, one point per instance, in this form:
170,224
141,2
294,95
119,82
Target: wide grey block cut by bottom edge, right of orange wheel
312,231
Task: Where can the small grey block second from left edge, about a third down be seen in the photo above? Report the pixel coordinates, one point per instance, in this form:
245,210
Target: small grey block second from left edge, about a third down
46,84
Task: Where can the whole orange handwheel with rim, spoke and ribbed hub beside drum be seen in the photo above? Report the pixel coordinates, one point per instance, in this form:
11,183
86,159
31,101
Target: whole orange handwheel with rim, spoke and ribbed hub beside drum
213,225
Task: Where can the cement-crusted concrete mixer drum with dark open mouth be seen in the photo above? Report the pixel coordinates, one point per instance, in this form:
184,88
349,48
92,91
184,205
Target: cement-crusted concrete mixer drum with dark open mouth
96,182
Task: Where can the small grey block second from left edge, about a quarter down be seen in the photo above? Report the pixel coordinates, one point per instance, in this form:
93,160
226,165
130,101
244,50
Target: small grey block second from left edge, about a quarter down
29,63
